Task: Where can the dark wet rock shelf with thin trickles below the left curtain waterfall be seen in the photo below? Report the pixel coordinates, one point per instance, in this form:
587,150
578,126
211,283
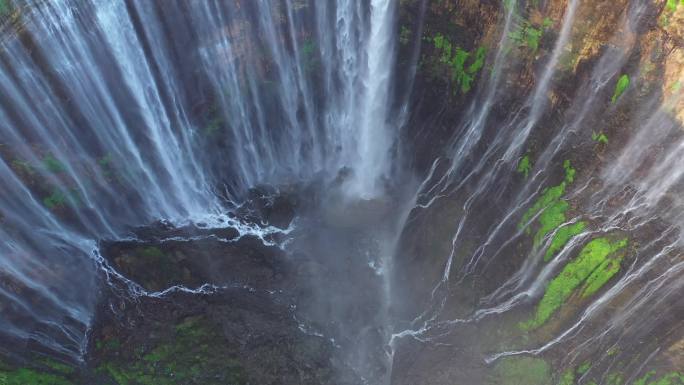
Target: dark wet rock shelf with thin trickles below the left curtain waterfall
220,309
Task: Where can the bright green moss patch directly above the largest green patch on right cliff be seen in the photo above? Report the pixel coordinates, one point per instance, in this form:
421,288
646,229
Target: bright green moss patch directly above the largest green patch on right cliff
550,209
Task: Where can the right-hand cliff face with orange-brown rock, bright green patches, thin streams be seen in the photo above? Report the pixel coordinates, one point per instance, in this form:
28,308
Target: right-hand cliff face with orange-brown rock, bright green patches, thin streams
545,222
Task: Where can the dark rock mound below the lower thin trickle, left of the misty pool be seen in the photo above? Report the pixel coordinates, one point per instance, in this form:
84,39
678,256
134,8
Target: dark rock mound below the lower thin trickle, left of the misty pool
231,336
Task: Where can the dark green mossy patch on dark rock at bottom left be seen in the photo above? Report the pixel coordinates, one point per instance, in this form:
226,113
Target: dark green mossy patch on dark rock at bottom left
189,356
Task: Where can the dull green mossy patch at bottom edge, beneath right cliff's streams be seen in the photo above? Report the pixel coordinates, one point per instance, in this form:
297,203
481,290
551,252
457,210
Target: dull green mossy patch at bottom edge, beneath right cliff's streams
522,371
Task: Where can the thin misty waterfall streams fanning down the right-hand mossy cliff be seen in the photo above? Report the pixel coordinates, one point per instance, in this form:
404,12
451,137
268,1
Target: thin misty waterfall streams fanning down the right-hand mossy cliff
477,177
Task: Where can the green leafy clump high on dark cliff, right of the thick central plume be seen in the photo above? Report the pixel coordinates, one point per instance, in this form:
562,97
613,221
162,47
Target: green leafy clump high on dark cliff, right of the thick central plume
463,65
